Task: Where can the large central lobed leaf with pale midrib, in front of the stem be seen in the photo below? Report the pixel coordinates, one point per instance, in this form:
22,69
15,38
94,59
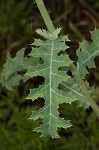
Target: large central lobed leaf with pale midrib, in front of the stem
49,51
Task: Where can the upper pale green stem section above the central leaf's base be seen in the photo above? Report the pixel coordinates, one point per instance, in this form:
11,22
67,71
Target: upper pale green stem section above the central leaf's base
45,15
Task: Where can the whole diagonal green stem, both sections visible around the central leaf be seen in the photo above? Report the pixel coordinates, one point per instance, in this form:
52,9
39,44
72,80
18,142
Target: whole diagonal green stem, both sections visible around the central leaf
80,82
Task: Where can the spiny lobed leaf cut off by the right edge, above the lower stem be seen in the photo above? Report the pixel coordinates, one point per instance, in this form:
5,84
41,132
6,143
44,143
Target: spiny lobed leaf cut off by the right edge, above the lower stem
87,52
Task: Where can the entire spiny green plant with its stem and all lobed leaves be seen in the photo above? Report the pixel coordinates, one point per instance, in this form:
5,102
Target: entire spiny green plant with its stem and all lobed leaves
52,63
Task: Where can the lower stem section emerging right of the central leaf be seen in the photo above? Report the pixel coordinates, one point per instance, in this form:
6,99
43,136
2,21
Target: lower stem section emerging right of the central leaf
84,89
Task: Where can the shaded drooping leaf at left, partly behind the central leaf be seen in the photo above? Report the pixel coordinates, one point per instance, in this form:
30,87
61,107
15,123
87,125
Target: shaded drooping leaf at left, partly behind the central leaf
9,75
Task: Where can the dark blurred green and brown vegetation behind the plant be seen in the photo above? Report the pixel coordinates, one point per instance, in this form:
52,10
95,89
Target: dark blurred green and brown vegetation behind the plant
18,21
